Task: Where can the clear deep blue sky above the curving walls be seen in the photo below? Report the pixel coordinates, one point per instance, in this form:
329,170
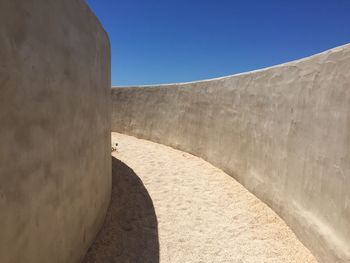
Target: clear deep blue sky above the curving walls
166,41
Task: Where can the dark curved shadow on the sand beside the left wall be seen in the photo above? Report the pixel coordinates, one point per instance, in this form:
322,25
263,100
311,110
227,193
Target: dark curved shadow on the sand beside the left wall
130,231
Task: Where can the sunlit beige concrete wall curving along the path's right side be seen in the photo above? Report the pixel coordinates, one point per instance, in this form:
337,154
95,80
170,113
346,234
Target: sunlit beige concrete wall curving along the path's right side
283,132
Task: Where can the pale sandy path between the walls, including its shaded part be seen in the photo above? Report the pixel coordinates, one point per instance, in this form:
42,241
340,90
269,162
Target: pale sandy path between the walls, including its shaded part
170,206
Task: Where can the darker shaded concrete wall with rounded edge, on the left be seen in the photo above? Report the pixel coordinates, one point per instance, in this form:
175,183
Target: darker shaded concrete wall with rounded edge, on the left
55,164
